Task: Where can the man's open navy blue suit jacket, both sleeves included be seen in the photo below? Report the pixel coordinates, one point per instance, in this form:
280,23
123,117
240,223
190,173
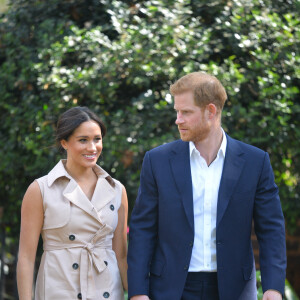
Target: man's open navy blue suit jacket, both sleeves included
162,223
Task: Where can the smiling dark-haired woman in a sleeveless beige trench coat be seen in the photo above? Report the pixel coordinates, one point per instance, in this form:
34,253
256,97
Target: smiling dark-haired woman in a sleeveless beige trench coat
81,213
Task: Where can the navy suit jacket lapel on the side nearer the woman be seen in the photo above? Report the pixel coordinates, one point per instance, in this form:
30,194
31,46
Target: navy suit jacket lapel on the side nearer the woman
180,165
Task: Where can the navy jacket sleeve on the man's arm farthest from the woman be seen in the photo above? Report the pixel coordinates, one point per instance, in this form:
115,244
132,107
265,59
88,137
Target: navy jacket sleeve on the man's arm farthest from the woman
270,230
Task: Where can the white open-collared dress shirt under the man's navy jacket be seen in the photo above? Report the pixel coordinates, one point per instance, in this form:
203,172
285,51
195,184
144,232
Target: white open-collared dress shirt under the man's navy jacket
206,182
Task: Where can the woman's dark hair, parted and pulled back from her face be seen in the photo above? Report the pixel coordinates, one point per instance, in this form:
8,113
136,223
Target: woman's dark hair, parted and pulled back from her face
72,119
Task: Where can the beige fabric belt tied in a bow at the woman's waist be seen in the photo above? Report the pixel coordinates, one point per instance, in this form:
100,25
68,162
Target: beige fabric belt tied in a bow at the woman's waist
92,259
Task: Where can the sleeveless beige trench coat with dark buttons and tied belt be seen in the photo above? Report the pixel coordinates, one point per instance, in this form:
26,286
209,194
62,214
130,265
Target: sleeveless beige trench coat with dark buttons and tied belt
78,261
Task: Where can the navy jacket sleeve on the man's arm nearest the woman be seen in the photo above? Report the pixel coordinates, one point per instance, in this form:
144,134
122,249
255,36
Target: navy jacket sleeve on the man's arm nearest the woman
142,232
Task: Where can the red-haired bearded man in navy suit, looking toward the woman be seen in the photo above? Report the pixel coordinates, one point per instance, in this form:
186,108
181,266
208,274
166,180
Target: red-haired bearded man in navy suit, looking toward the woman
190,230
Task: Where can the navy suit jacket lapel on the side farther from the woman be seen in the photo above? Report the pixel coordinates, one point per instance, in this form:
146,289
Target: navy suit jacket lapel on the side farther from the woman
233,166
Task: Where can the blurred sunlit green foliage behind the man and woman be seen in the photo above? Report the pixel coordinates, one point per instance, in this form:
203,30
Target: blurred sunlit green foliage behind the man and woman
119,58
